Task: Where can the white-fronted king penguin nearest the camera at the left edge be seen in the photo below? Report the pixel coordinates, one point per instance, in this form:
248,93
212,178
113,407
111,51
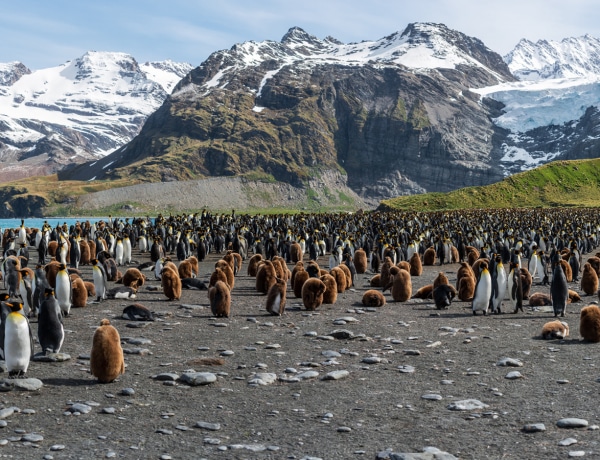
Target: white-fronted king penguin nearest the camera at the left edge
18,341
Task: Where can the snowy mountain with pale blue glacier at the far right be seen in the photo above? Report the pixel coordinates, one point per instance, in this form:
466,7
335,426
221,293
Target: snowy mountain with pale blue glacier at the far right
549,114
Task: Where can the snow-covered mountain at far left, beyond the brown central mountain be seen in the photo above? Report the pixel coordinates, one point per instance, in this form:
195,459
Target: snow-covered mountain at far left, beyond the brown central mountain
78,111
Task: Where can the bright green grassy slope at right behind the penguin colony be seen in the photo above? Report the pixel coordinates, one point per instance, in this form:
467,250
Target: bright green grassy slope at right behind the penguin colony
563,183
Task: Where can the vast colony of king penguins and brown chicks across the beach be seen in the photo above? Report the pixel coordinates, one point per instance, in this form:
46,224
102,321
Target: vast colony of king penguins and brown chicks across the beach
325,252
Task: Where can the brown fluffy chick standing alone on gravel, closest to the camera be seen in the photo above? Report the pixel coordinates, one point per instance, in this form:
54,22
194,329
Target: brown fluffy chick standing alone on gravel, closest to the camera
106,359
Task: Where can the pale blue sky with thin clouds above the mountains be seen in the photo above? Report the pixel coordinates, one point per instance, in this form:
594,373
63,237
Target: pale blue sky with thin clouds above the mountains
47,33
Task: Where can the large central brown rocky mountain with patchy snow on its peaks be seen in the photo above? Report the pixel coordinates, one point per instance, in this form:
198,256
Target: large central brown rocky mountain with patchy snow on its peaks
303,103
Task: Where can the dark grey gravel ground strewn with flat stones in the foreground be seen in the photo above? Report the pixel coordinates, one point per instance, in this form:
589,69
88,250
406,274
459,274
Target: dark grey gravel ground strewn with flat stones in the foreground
410,377
